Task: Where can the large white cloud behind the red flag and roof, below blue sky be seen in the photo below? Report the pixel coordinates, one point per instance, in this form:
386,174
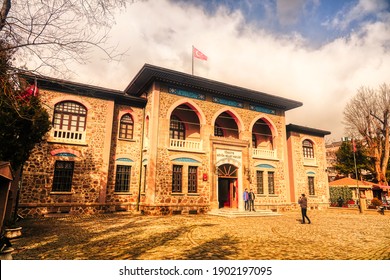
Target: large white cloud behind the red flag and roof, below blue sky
324,79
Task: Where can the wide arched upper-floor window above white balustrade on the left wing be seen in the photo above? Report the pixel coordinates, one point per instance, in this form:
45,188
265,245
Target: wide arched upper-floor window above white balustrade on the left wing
69,115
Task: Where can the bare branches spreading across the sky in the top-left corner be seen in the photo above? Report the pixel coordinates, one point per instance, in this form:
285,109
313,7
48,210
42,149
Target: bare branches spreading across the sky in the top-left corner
52,32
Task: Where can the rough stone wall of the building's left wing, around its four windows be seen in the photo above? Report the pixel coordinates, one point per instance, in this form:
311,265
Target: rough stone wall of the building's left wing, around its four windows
94,162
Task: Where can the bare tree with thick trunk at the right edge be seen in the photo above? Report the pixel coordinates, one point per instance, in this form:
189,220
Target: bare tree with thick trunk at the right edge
367,115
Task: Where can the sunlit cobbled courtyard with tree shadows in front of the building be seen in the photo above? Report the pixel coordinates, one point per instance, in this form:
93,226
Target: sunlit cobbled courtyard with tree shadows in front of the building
333,234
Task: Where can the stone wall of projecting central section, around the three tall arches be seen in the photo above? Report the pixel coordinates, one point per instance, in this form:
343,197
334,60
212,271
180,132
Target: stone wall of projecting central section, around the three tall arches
208,112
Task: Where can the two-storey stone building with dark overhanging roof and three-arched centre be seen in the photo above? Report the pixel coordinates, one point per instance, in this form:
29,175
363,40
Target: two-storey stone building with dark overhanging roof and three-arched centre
170,143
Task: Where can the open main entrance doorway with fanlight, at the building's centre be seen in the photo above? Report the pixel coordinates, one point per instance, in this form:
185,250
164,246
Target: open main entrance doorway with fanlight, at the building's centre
227,186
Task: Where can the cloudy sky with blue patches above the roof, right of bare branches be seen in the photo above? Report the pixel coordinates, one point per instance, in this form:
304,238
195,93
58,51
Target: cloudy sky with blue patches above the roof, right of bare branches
318,52
